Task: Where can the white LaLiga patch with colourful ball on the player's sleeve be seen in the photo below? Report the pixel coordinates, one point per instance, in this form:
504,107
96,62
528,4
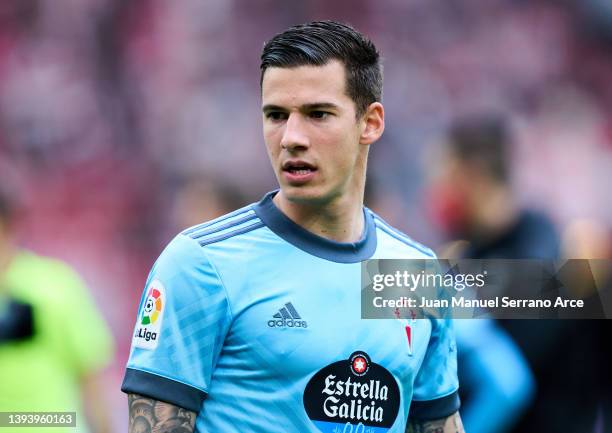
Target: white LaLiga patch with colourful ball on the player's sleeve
150,318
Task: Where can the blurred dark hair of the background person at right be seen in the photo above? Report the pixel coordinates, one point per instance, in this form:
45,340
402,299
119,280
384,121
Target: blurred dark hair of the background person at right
484,139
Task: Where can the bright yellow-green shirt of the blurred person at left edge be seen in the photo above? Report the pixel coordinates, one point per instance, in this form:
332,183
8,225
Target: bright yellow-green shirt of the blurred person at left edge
71,340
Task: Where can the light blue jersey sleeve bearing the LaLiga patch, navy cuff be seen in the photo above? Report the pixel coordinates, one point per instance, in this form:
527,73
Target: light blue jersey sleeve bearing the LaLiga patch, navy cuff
183,318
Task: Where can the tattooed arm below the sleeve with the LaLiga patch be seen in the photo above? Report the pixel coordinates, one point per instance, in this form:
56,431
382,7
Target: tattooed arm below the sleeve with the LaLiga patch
152,416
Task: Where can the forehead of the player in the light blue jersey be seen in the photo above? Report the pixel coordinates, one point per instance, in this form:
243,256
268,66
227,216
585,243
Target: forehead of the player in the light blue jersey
305,84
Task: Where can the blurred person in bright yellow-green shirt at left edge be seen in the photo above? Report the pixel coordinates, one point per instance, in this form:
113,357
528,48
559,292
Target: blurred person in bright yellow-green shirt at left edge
53,341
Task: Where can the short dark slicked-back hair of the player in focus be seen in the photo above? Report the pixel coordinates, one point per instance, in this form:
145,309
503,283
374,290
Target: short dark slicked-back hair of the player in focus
317,43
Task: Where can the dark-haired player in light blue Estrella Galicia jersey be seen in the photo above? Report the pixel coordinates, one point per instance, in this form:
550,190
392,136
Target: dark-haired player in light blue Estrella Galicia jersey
251,322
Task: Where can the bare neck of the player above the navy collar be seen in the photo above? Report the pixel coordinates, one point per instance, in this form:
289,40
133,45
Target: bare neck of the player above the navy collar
340,220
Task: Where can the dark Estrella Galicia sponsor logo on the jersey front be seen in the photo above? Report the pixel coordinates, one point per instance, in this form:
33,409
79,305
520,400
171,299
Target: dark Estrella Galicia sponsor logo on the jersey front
354,395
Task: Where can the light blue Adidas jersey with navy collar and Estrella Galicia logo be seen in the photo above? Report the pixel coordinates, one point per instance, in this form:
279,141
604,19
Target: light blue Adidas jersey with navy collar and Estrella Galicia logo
254,323
